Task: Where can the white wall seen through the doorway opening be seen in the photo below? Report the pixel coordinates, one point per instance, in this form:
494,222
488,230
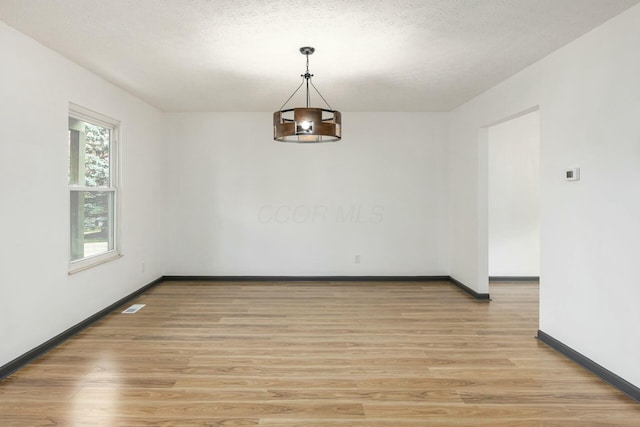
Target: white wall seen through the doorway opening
514,197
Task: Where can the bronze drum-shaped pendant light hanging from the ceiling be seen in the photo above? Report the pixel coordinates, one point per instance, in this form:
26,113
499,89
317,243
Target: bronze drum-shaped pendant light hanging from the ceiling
308,124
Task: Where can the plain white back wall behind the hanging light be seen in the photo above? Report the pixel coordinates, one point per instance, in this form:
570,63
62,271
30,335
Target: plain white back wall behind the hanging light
242,204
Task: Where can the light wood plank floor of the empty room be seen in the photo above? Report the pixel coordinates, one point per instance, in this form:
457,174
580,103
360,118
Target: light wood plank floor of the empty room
314,354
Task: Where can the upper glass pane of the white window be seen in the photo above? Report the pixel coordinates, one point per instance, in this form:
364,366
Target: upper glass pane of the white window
89,154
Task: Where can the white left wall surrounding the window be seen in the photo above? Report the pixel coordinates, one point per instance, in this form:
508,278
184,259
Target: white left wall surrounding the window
39,299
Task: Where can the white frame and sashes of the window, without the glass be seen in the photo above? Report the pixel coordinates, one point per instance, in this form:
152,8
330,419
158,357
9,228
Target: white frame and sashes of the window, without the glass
92,117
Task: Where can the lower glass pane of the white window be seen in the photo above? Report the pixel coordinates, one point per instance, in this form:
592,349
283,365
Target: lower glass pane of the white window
92,231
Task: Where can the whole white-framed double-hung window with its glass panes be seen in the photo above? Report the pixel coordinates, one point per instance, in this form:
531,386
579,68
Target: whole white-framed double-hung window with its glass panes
93,188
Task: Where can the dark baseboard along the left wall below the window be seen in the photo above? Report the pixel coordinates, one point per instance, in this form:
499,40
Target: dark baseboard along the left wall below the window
43,348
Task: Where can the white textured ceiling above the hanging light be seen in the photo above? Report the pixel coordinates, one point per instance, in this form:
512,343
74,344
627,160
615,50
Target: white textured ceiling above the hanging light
242,55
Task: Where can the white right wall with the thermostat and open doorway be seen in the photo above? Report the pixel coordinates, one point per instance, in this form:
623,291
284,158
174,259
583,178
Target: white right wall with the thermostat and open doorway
589,100
